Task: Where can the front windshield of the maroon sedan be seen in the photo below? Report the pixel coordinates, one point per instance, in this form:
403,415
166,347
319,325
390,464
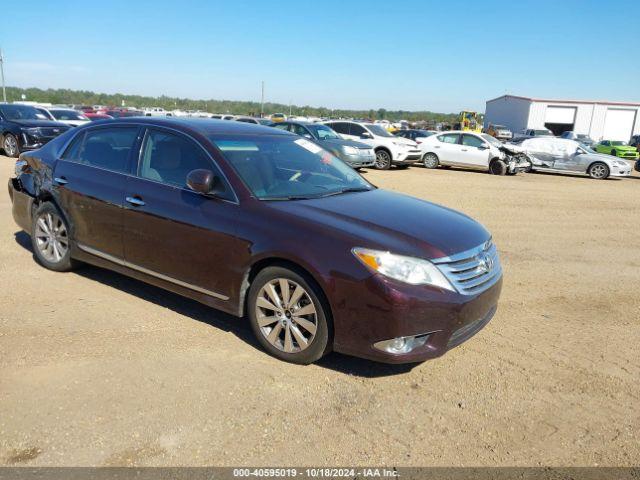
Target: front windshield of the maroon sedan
284,167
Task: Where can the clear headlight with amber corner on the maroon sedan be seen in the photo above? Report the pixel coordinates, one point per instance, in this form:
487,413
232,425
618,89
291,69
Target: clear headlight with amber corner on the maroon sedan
414,271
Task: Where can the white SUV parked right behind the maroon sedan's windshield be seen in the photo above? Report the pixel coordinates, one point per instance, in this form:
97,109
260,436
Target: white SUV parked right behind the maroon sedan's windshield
390,150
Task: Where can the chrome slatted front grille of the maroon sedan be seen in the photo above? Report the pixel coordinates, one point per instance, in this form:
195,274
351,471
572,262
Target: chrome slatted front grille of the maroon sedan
473,271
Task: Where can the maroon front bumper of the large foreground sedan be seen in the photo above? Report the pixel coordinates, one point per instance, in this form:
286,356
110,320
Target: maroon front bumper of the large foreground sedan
387,309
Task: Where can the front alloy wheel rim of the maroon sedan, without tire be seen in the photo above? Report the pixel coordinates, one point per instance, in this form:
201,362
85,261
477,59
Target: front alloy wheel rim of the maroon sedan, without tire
286,315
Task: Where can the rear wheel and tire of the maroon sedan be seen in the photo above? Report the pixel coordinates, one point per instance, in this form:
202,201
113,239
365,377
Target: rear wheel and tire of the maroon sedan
51,239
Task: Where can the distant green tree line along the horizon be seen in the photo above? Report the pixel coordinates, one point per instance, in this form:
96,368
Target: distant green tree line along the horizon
85,97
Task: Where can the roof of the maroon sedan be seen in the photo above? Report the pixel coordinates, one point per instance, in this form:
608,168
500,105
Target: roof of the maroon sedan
204,126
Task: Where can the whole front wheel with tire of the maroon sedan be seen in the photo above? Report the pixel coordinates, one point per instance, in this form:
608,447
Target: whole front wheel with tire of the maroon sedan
275,324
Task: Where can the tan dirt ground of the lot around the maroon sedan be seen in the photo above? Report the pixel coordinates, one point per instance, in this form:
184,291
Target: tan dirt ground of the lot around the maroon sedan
99,369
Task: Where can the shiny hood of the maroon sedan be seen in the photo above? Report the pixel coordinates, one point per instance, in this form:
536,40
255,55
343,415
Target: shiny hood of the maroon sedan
391,221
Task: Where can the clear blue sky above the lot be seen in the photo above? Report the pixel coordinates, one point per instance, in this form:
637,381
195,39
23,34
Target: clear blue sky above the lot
442,56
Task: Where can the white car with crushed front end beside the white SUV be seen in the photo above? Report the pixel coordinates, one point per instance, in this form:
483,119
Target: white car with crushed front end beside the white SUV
473,150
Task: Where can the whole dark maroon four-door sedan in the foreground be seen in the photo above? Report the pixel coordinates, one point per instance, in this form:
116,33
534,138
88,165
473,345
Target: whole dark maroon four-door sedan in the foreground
262,223
